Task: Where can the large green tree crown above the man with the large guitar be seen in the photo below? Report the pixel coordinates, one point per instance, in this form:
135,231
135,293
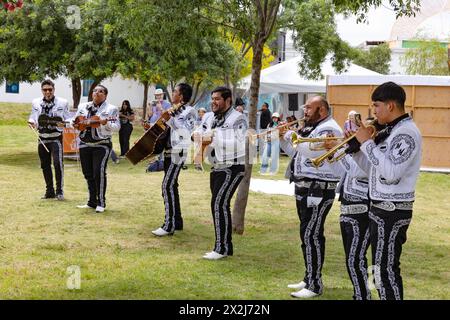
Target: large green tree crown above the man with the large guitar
167,43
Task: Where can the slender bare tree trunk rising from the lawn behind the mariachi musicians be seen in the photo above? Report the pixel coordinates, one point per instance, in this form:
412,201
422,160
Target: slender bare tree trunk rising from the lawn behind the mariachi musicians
242,195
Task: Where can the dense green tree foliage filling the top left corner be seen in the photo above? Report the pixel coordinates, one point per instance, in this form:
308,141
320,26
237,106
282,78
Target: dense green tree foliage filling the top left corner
34,41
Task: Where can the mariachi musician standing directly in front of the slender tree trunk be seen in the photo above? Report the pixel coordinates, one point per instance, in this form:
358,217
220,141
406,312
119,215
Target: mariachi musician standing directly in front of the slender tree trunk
225,129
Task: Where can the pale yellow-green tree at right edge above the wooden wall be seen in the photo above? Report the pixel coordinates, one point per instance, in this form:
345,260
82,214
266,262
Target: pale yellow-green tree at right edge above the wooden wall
429,58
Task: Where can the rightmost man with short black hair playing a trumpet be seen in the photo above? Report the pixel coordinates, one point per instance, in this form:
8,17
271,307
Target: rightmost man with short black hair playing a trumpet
392,162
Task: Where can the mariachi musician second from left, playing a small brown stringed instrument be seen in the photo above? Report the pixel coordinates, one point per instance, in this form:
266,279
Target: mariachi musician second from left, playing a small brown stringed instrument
96,120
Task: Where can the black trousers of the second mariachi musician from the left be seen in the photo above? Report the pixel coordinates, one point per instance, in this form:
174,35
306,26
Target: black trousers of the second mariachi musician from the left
94,161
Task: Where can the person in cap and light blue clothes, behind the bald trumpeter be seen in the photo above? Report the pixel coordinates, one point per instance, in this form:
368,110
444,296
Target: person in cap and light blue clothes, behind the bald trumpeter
271,147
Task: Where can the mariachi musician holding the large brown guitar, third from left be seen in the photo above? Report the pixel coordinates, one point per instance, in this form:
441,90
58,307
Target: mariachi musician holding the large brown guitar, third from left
175,142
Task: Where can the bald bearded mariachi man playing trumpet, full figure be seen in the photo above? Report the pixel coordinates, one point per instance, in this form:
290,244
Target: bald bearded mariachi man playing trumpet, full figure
315,192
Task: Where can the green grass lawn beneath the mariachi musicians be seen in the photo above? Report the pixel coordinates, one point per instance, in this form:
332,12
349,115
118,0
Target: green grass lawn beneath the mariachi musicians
120,259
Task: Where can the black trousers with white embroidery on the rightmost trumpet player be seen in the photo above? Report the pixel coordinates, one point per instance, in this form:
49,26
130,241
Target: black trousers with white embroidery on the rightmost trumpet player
387,236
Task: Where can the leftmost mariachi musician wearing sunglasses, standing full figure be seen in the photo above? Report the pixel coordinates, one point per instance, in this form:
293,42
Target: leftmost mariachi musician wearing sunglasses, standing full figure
46,115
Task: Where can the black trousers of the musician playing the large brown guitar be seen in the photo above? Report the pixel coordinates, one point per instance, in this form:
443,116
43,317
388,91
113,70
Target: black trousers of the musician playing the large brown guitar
173,219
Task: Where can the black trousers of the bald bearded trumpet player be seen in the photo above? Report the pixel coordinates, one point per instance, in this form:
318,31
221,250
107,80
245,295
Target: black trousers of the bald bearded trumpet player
312,220
